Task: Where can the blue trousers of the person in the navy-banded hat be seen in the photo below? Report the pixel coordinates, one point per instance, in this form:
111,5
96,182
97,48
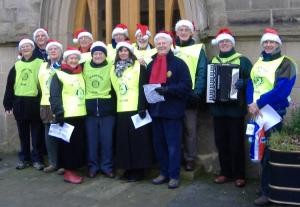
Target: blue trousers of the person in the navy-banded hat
99,142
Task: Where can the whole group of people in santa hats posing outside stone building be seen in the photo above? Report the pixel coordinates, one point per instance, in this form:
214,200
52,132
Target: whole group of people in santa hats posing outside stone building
97,88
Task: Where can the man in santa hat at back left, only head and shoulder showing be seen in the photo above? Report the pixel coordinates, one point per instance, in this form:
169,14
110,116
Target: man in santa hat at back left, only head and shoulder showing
40,38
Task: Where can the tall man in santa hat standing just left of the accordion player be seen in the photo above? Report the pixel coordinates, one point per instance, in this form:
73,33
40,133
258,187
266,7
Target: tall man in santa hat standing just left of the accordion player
194,56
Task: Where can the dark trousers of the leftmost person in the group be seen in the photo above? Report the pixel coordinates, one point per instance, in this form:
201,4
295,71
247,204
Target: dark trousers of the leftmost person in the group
27,128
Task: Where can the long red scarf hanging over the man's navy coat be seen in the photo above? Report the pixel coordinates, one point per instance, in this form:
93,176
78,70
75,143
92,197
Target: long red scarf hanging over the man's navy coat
159,70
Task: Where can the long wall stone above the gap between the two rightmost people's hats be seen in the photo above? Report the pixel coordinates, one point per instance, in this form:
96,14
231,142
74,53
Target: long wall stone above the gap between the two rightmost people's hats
248,17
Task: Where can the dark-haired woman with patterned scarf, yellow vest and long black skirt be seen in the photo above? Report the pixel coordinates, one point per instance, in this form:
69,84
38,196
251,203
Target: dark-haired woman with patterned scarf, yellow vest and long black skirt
133,146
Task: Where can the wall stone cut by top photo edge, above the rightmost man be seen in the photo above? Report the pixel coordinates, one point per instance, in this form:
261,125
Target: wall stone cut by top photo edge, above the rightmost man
269,4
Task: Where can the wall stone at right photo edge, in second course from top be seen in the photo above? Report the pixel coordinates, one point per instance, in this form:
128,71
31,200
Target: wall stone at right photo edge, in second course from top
286,16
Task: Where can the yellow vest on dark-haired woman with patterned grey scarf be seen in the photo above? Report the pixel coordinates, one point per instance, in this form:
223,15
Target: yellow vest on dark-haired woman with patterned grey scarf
127,88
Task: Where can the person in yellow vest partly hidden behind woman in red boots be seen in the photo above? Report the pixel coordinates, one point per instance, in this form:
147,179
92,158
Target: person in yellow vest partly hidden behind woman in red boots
47,70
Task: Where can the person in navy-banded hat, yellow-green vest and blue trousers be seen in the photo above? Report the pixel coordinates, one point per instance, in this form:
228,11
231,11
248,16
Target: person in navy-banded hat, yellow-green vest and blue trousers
101,109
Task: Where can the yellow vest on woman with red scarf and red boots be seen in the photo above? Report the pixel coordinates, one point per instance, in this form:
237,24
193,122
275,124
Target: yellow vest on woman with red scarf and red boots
73,94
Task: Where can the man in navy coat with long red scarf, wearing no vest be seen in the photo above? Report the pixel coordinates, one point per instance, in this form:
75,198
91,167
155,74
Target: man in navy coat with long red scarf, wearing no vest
173,75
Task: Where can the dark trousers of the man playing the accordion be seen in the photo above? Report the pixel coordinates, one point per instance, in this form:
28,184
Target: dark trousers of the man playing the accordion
229,139
